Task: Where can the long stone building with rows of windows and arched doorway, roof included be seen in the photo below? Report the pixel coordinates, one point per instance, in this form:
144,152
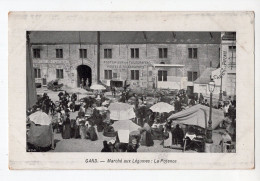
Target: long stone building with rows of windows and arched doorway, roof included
173,60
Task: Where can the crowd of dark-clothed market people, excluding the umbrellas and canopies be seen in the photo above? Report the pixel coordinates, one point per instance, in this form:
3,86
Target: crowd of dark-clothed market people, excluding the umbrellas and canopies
153,126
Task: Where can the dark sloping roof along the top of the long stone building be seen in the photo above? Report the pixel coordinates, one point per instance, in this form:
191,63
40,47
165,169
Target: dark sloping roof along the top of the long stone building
124,37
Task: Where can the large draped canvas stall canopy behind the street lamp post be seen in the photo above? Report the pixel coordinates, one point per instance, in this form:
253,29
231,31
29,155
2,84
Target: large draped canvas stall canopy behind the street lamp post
198,115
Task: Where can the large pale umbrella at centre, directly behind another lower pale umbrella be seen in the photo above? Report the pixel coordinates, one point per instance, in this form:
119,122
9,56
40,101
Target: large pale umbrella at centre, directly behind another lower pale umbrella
121,111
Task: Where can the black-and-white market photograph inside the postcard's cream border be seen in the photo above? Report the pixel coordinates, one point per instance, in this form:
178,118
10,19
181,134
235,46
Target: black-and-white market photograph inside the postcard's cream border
131,91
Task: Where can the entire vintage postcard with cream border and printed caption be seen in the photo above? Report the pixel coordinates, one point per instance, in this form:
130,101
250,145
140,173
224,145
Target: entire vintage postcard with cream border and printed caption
131,90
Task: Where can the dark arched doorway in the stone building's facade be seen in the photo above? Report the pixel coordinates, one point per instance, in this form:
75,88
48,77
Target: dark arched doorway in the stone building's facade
84,72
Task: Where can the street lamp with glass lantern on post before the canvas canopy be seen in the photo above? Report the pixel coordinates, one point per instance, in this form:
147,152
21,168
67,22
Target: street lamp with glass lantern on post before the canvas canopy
209,128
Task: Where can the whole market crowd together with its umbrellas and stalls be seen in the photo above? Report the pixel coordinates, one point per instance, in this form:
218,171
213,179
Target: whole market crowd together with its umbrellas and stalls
128,119
